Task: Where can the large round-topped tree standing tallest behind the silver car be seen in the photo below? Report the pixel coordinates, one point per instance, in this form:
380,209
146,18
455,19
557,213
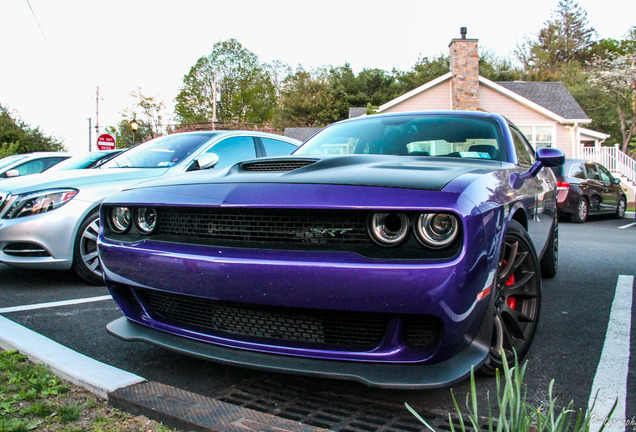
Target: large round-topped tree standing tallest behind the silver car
229,82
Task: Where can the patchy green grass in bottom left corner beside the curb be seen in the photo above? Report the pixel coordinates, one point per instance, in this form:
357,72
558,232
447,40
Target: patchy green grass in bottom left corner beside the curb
33,398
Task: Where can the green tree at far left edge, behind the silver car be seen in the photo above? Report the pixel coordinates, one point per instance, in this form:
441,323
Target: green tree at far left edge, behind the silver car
17,137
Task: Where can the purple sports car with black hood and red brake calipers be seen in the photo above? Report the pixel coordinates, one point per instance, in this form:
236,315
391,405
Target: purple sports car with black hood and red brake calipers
398,250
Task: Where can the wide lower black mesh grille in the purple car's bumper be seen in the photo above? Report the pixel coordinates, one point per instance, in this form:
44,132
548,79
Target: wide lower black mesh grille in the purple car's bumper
363,330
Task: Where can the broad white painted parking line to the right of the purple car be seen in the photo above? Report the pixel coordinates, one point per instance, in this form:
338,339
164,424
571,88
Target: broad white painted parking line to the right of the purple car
610,382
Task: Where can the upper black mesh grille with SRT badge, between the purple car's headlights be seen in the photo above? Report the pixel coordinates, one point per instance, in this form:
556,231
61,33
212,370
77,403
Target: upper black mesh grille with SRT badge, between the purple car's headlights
260,226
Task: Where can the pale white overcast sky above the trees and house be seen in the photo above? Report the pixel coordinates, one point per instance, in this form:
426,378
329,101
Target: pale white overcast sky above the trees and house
55,54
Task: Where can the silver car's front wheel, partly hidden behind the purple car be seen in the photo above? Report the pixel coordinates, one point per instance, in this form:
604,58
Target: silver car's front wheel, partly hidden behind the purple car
86,262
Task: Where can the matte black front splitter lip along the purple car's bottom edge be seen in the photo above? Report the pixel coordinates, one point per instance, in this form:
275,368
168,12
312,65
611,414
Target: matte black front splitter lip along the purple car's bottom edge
395,376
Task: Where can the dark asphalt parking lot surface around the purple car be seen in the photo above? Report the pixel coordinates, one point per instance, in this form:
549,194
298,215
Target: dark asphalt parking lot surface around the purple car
582,343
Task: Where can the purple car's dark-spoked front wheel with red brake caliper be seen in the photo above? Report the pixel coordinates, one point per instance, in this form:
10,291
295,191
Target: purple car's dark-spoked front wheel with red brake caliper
517,299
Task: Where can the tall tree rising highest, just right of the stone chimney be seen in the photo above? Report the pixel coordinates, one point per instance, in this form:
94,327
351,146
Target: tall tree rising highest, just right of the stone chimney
566,37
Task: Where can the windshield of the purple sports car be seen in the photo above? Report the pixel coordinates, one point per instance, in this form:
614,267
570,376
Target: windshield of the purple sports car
412,135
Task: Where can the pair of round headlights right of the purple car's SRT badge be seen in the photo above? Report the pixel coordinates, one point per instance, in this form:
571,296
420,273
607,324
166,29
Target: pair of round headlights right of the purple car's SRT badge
435,230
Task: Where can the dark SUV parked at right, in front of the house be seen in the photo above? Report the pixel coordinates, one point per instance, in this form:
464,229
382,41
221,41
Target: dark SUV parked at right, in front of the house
587,188
